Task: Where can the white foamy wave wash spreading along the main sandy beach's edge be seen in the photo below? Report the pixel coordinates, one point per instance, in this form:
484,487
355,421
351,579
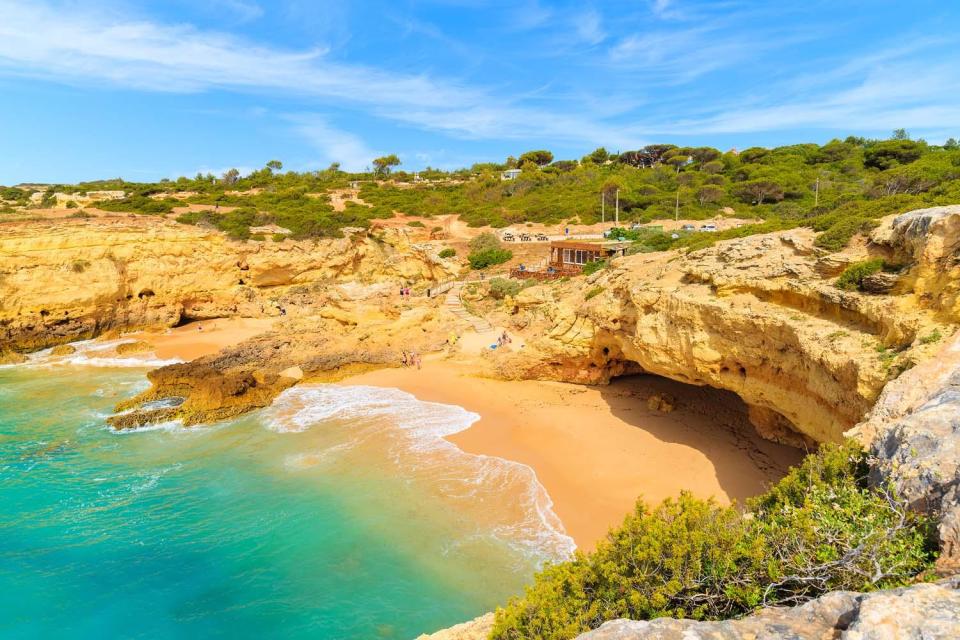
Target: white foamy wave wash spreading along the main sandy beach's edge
420,428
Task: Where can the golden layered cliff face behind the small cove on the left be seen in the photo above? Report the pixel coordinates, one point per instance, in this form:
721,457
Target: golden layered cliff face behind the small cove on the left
73,279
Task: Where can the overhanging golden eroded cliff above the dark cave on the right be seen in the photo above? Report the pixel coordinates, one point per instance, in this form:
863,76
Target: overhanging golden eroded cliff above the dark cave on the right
759,316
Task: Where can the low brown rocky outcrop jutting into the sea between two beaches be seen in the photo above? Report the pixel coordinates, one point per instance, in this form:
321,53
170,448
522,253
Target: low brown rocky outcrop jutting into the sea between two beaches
250,375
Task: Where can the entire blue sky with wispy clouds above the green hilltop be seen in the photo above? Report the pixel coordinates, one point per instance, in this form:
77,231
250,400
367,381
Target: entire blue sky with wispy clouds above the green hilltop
151,89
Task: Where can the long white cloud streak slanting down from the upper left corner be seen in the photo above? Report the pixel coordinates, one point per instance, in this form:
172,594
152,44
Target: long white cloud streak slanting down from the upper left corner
82,48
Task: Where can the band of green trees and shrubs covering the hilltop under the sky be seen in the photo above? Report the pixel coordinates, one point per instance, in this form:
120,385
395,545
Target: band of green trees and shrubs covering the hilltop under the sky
838,189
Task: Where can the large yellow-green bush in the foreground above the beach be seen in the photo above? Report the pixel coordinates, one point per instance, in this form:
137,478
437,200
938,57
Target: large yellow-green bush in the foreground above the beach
819,529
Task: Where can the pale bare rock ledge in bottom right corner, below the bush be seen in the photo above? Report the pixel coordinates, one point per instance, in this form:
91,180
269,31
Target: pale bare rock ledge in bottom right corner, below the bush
927,611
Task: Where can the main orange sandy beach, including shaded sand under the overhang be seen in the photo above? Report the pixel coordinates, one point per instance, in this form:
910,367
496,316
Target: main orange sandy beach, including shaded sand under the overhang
597,449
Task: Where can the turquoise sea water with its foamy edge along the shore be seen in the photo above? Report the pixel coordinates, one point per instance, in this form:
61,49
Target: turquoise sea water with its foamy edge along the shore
340,512
